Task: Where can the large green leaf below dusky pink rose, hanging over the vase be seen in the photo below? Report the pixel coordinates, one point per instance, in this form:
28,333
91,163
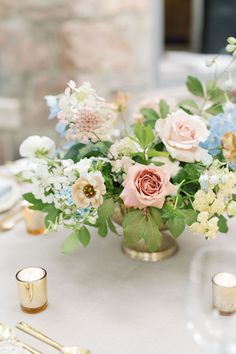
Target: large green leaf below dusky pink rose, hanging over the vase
137,225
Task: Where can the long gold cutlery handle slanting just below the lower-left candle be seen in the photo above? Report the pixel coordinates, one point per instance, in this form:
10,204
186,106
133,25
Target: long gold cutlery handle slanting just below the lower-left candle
42,337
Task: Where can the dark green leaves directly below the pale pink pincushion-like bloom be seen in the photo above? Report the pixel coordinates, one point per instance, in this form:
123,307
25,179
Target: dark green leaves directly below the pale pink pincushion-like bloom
80,151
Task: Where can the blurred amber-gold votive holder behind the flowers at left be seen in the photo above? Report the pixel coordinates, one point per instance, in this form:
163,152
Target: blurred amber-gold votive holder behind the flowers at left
34,221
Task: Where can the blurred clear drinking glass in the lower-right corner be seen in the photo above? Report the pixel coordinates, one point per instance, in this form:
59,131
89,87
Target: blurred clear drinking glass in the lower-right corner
213,331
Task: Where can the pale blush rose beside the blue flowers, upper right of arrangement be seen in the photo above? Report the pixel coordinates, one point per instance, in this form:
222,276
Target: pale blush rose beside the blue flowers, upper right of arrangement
181,133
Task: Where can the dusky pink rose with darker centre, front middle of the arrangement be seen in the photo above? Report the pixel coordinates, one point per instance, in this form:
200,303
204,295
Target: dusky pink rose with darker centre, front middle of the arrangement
146,186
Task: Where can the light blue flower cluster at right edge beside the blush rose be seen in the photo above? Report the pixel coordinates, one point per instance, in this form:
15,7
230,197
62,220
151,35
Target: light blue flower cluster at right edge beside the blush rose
218,126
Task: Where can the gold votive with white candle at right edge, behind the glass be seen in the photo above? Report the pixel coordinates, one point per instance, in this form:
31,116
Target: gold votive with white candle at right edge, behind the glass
224,293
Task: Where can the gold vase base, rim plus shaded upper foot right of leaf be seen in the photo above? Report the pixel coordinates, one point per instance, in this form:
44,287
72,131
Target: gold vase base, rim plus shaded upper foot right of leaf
168,248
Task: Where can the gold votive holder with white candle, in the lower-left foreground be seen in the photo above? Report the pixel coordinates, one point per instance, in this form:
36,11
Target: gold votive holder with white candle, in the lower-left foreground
32,288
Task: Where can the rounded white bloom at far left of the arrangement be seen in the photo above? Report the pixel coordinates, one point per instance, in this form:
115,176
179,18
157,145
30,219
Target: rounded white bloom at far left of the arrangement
37,146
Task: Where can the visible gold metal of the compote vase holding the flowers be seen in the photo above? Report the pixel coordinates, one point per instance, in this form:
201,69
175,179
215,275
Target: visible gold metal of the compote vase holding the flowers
167,249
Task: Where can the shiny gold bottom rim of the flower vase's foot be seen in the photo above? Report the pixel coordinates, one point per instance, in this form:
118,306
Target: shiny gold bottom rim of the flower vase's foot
151,256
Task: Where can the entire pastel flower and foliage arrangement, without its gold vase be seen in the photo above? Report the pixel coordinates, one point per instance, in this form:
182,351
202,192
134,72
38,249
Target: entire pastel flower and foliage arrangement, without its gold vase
174,168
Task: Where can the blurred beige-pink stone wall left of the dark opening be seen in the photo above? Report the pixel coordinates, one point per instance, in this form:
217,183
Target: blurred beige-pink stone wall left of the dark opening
45,43
